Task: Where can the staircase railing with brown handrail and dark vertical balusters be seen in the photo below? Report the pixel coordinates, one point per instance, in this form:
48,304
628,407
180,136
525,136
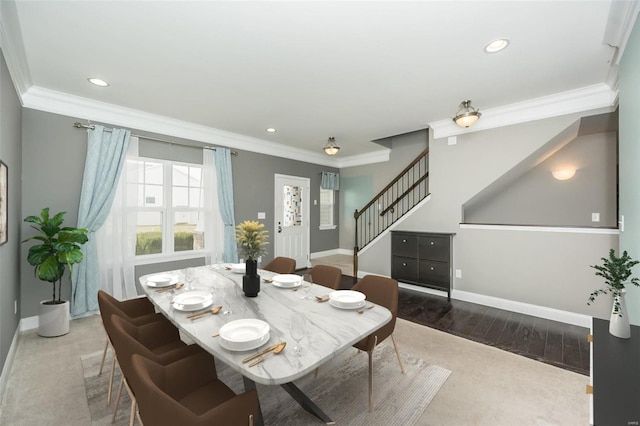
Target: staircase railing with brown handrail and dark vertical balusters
401,195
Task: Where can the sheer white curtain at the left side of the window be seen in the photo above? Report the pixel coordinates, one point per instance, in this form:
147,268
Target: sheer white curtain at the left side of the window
117,237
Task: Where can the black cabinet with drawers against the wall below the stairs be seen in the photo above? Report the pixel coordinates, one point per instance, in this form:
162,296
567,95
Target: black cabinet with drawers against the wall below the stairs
423,259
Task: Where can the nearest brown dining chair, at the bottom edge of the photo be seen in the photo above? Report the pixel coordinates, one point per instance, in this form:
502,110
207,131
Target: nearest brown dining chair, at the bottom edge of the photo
188,392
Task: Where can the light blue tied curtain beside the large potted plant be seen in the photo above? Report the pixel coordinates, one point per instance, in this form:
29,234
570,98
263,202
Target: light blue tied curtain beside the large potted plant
106,154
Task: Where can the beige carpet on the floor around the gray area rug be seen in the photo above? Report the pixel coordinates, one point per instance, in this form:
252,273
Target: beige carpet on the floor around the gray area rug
487,386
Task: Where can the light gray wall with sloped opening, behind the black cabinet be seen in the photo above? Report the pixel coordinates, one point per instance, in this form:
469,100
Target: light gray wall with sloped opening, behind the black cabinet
546,269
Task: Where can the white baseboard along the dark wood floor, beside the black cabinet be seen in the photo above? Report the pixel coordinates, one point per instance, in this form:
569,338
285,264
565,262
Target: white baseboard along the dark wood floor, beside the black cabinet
508,305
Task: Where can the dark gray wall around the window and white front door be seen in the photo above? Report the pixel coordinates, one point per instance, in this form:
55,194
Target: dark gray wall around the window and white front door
53,164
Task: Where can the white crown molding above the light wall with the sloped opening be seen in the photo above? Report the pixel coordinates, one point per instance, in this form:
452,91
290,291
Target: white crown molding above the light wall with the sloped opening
569,102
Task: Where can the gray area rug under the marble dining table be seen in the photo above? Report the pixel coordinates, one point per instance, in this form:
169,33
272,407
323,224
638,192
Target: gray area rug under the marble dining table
340,390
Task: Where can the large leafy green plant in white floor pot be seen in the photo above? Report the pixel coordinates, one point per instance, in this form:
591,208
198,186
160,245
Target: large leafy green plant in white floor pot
58,249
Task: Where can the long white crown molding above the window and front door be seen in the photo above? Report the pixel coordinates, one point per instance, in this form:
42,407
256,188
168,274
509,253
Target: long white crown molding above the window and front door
52,101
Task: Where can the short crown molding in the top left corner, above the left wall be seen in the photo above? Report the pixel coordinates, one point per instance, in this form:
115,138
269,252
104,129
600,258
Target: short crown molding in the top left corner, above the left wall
13,48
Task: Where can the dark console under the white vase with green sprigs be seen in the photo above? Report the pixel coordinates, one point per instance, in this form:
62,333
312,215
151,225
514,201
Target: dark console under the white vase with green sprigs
615,374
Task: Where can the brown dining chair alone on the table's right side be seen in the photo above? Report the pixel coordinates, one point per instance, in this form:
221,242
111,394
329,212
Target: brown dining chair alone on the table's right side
381,291
